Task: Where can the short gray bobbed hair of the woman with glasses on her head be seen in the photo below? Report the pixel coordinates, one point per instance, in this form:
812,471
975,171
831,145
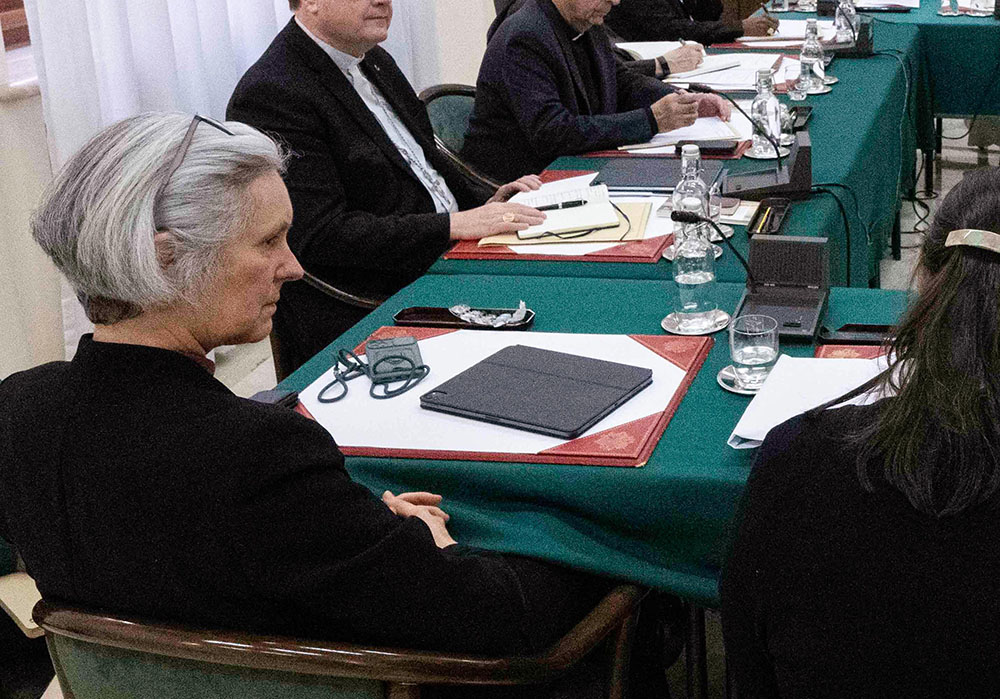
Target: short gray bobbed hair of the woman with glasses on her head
98,217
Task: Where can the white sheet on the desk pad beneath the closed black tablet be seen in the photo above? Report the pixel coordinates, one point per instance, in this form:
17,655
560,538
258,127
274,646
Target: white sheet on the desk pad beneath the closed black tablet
400,423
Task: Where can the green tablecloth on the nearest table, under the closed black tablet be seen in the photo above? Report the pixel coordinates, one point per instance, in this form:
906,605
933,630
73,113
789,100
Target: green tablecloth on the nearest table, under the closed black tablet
665,524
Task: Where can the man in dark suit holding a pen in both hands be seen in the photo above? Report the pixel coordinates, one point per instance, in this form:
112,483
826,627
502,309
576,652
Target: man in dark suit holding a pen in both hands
549,85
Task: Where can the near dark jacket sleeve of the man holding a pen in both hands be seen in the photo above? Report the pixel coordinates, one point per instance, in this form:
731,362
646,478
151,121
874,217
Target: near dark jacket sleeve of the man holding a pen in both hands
552,130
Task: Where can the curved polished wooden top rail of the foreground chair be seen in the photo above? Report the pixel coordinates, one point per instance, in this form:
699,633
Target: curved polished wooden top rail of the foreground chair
338,659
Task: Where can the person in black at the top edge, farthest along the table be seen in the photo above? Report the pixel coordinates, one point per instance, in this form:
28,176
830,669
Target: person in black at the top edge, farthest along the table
697,20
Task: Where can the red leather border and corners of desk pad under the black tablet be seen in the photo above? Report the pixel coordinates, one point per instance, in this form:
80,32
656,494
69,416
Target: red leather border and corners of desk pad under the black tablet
628,445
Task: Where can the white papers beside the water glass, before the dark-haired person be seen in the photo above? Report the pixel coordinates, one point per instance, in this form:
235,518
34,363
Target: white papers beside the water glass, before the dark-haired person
798,384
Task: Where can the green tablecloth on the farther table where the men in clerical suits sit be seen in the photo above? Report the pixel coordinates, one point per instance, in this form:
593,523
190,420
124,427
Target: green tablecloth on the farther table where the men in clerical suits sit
861,138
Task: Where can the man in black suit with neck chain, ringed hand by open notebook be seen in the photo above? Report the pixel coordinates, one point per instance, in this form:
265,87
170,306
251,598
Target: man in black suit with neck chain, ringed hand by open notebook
375,204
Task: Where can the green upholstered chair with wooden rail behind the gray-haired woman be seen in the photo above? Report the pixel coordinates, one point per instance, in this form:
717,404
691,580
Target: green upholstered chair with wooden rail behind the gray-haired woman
101,656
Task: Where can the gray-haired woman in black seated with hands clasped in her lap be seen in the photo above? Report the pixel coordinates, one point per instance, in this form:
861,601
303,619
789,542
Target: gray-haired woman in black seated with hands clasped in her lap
133,480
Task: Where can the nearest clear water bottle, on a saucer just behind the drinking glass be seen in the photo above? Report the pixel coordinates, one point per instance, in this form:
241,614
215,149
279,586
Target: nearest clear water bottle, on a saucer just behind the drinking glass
694,274
